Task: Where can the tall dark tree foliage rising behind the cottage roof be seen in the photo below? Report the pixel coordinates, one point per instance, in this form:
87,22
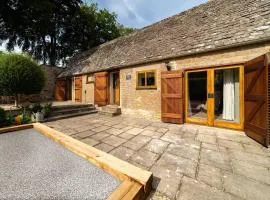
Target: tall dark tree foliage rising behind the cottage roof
54,30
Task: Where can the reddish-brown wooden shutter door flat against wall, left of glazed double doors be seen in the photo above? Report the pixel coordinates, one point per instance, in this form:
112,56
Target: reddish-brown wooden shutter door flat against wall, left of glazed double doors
172,97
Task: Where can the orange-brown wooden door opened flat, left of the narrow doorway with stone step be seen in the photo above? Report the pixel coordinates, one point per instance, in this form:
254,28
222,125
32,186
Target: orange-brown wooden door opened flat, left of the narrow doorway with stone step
101,88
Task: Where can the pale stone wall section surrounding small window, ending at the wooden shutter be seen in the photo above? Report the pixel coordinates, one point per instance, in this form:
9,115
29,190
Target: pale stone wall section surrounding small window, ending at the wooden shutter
140,102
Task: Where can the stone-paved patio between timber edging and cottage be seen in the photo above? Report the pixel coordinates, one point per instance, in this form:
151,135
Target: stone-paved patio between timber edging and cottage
188,161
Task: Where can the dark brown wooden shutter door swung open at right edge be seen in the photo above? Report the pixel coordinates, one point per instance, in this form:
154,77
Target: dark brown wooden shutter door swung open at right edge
256,95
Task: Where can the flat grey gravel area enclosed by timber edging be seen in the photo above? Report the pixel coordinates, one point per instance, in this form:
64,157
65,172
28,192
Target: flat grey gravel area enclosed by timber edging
34,167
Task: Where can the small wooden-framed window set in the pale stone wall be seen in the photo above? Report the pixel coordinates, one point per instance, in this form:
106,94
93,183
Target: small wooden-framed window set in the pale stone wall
146,80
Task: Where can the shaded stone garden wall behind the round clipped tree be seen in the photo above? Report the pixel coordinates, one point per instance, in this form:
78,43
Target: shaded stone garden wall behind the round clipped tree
47,94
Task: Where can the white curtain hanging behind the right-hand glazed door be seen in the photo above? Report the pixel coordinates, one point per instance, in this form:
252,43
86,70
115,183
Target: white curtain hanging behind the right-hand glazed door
228,95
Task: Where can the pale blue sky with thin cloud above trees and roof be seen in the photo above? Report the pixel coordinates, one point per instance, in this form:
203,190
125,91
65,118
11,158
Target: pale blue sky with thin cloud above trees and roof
140,13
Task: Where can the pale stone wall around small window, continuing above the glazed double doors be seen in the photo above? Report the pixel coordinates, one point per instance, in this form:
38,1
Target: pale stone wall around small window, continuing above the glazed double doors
147,103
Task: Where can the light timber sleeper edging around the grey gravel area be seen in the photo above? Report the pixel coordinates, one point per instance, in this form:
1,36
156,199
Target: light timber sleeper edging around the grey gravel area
137,183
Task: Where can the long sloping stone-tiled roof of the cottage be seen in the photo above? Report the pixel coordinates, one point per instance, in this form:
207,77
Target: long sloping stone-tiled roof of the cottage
214,25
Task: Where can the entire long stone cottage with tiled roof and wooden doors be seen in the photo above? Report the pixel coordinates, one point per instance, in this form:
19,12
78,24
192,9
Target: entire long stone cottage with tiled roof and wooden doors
207,65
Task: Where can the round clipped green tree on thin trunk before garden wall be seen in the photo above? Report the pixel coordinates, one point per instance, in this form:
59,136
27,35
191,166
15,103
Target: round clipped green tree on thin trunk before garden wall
19,74
